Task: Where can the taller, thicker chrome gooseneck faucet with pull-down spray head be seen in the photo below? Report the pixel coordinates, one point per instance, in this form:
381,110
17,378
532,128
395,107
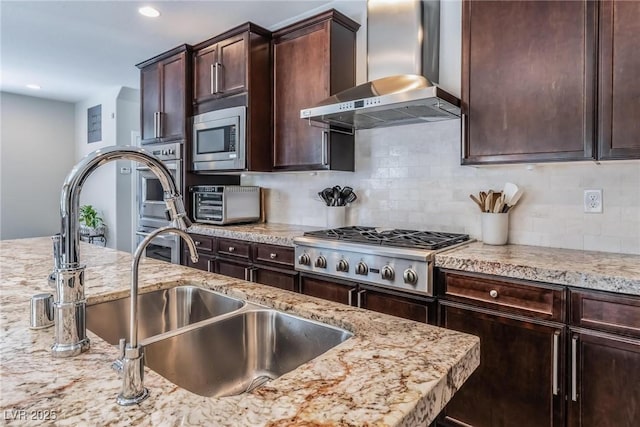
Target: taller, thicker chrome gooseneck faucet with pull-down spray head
70,303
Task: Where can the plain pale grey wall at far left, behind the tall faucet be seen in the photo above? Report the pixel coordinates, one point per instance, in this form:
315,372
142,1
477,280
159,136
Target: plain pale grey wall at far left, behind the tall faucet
36,152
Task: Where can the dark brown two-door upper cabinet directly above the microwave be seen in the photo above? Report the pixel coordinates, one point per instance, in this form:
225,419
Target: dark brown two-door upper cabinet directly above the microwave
232,63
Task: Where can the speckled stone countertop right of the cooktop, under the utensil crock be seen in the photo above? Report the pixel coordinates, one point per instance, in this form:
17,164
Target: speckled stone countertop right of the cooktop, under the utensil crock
585,269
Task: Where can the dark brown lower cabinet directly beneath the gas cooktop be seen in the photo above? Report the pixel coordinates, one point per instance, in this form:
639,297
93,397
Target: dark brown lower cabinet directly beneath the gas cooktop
407,306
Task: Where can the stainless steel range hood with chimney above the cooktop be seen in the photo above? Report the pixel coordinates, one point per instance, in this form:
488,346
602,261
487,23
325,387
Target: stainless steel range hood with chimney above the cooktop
403,38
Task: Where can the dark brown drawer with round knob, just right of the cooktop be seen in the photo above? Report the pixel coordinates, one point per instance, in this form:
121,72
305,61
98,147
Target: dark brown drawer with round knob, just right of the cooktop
519,297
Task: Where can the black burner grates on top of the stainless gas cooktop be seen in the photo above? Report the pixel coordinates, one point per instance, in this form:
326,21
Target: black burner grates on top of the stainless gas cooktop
391,237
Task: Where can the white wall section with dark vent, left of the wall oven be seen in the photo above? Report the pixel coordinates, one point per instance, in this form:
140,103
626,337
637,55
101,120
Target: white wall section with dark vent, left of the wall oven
106,188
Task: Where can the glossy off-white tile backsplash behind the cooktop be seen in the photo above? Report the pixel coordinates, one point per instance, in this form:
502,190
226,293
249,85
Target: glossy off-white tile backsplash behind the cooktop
410,177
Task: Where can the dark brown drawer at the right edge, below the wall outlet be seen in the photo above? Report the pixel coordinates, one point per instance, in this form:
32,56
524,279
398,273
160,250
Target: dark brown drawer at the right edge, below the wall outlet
606,312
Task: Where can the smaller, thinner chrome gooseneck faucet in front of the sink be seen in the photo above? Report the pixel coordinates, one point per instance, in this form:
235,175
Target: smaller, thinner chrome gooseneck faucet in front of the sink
131,355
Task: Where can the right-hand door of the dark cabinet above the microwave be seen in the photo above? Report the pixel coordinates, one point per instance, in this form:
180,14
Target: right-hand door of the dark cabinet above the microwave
232,68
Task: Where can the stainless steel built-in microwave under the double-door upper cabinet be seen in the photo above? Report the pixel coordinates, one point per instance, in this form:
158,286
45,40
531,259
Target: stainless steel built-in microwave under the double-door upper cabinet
219,140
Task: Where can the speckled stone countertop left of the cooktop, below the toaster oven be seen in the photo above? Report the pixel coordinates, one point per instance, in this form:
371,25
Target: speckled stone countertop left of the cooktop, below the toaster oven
275,234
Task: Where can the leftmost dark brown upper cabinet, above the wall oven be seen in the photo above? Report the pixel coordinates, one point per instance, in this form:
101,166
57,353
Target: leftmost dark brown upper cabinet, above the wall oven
165,92
